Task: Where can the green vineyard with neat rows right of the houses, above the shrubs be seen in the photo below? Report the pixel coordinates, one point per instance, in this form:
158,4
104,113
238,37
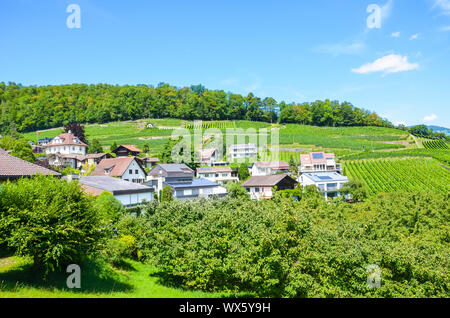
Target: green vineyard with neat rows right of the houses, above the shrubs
390,175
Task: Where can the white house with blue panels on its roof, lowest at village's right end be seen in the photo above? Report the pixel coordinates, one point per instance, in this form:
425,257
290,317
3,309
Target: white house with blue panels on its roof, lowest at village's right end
329,183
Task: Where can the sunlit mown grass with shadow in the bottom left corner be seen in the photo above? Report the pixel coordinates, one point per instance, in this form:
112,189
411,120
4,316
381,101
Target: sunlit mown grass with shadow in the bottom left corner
98,280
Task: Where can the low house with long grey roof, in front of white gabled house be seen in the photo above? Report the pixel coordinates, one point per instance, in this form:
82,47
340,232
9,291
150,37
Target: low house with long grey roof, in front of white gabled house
128,193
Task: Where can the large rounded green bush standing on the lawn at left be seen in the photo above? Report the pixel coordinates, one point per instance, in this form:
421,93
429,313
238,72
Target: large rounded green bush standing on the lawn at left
49,219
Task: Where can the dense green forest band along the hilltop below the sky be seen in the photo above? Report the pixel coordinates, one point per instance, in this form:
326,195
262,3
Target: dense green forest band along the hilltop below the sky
39,107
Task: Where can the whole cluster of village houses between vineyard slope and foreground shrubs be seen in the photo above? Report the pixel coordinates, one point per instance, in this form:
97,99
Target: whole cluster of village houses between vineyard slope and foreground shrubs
134,178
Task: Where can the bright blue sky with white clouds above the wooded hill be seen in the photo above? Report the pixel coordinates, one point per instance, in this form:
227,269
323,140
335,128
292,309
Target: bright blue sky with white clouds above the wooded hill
291,50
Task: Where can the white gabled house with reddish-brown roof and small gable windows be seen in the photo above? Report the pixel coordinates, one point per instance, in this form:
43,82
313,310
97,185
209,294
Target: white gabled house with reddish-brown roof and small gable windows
125,168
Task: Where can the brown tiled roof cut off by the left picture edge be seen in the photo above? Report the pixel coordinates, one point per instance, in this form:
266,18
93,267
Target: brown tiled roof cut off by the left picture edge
12,167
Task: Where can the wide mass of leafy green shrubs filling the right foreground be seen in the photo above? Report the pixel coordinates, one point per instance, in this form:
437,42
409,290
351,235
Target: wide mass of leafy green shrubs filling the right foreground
309,248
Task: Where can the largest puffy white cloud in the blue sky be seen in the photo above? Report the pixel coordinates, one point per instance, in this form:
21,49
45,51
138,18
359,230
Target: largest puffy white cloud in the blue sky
388,64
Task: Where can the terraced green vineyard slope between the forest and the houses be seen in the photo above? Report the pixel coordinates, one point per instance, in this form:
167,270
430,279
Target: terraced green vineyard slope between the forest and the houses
343,141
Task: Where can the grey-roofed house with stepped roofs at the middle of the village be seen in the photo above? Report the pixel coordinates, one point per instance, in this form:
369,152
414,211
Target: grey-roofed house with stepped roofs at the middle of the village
181,179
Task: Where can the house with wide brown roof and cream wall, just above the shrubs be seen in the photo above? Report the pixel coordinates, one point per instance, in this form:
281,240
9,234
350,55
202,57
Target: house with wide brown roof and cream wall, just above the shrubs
262,187
